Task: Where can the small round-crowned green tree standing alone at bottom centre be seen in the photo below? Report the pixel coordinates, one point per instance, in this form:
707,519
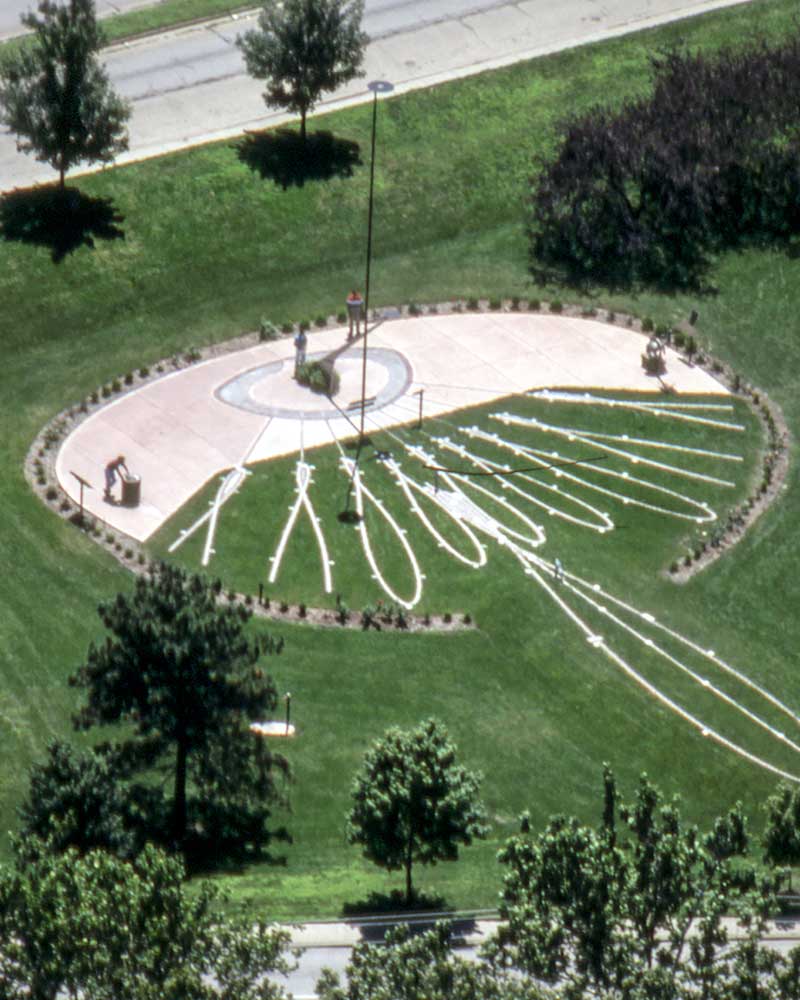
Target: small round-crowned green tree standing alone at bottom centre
412,802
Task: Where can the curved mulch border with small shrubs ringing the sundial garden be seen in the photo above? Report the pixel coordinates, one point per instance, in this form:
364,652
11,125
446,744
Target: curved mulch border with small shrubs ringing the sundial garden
40,460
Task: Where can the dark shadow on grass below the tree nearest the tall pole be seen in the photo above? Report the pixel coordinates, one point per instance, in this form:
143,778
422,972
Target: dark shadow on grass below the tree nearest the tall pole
282,156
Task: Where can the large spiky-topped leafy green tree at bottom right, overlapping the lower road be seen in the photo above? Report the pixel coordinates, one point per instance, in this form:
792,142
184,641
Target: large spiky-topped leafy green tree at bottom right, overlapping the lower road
608,910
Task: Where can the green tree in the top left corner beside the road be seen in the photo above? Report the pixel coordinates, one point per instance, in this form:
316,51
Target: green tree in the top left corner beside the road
56,97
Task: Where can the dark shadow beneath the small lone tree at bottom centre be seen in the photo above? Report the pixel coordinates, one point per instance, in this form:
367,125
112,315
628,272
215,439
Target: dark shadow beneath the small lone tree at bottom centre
380,912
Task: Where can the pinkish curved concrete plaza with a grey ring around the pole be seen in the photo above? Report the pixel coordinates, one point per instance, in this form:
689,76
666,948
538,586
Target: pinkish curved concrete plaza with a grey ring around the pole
245,407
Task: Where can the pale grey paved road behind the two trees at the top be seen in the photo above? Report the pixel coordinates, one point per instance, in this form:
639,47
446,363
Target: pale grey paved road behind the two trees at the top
189,86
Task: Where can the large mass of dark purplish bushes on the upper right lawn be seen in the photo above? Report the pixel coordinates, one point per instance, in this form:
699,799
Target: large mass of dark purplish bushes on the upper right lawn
710,160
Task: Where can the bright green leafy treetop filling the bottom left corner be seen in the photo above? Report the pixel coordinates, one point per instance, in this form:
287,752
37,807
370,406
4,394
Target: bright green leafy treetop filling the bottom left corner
96,927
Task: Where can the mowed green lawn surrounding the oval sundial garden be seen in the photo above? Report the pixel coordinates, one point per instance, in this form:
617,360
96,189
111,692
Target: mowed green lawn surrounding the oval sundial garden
209,248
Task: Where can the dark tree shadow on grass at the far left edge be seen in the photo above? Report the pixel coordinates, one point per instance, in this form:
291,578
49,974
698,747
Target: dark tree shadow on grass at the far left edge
62,220
